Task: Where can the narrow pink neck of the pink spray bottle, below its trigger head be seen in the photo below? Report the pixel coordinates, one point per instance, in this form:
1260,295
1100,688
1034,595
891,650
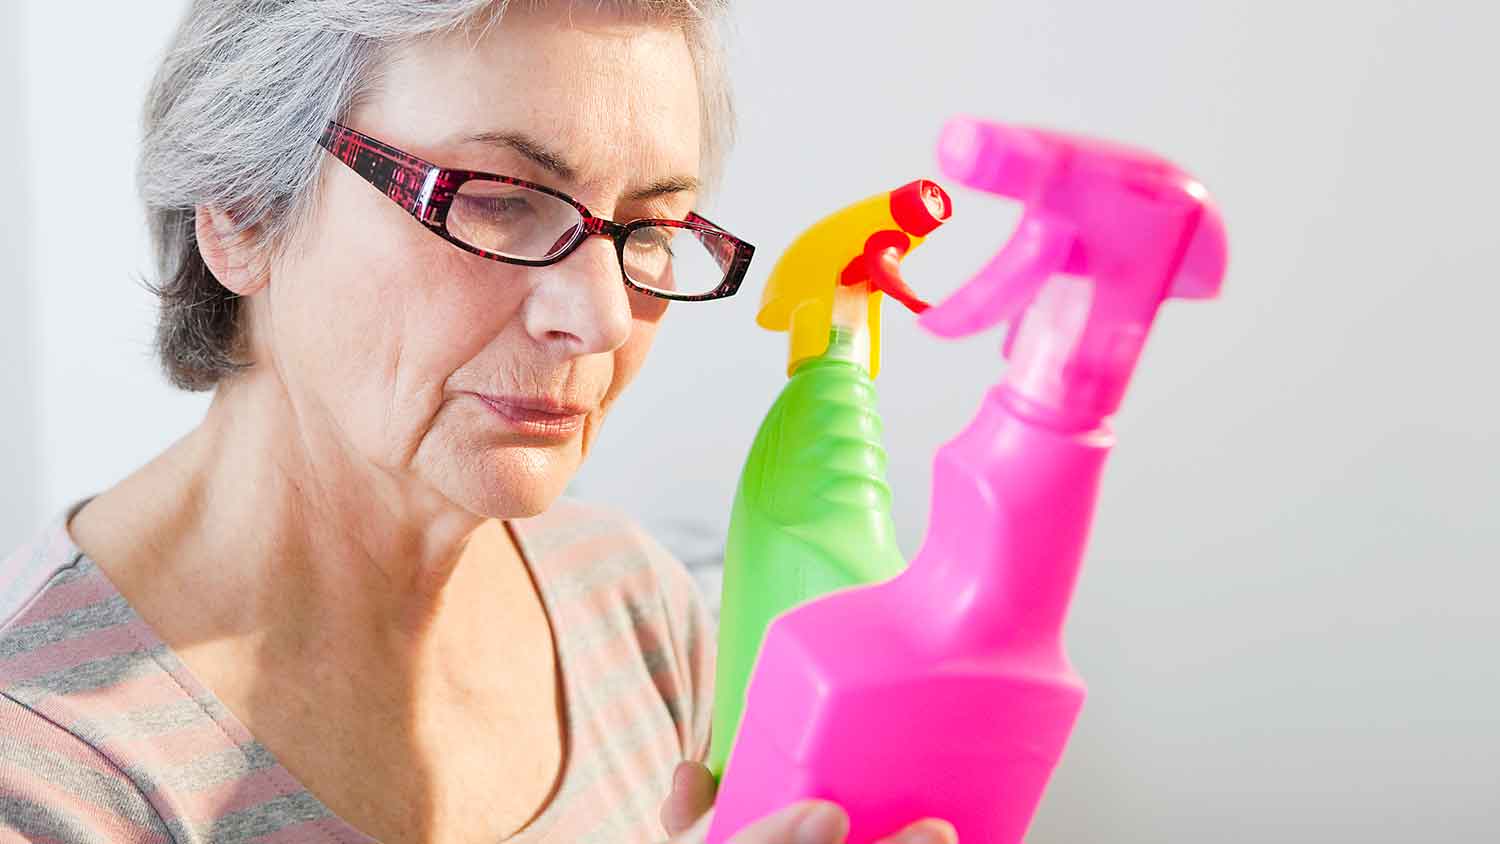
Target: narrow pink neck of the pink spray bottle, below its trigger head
1013,503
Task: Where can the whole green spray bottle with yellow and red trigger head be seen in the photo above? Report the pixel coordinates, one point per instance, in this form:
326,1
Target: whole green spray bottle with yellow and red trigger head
814,512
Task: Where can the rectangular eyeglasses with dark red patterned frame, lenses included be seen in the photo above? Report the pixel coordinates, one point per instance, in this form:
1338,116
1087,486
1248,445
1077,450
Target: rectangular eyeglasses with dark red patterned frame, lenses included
521,223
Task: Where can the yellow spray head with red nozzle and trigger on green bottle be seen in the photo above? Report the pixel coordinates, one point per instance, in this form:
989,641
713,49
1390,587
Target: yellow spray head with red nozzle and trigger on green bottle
862,244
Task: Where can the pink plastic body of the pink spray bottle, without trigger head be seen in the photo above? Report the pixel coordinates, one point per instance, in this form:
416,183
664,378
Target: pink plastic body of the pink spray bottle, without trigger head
851,683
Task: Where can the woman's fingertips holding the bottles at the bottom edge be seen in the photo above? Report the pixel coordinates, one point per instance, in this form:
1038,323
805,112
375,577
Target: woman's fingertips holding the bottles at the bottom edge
811,822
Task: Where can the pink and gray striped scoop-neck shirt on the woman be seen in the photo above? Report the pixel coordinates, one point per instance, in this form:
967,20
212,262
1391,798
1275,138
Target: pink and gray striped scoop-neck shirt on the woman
106,737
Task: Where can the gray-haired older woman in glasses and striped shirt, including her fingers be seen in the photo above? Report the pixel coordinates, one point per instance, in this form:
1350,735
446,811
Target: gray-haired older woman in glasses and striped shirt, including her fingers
416,250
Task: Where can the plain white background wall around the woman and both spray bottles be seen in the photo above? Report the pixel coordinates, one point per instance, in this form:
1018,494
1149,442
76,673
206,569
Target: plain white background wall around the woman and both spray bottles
1288,620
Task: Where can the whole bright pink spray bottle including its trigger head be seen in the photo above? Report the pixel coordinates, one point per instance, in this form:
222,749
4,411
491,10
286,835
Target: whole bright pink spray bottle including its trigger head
946,692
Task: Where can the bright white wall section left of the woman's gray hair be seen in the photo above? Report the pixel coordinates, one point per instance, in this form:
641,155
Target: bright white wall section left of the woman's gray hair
104,409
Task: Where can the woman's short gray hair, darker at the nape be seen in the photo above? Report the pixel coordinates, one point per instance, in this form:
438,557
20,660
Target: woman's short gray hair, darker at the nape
244,92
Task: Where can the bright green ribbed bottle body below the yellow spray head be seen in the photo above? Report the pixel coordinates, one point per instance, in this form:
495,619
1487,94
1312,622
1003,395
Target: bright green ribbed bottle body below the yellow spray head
812,515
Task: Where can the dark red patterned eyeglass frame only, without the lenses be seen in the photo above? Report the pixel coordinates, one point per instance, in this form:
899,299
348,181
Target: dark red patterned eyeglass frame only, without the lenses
427,193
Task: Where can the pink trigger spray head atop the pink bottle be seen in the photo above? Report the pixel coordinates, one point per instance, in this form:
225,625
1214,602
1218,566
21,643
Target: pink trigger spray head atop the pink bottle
1133,227
